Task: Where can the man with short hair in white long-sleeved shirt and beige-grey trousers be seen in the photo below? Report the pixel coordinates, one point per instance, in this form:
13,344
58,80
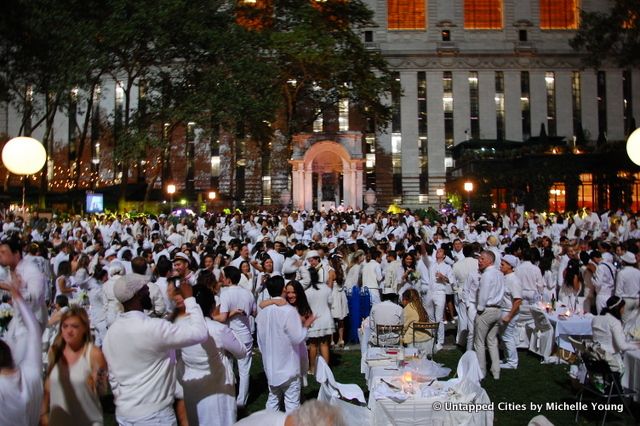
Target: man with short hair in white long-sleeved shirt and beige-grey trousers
490,292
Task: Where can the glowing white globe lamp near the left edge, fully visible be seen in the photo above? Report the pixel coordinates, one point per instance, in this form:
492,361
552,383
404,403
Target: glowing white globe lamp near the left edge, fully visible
24,155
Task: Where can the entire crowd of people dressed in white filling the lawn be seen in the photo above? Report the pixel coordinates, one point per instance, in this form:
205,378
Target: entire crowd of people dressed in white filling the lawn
158,309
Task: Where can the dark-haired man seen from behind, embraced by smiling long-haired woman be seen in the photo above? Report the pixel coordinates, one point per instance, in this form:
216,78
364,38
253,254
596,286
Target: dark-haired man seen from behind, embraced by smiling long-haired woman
280,332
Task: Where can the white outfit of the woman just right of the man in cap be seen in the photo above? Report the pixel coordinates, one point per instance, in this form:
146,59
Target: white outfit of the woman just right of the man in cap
205,372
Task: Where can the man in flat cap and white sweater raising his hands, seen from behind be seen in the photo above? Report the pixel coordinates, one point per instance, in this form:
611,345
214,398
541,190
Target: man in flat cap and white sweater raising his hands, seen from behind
139,352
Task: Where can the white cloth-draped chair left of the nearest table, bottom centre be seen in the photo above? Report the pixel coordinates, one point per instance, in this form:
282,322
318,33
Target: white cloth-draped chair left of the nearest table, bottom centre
332,392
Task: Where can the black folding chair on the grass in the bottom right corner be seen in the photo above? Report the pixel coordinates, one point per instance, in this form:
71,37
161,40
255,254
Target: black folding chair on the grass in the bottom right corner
602,382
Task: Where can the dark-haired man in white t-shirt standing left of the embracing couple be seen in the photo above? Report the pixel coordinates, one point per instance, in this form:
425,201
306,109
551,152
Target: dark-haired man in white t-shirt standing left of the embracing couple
237,306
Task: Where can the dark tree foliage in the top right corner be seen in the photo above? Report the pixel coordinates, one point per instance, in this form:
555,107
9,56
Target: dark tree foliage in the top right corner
613,36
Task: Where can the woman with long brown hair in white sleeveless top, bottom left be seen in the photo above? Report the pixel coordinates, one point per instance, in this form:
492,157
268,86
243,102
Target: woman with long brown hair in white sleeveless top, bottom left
75,376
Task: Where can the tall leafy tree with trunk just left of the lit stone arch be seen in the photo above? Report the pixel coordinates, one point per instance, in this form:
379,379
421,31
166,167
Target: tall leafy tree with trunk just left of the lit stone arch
321,59
